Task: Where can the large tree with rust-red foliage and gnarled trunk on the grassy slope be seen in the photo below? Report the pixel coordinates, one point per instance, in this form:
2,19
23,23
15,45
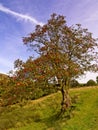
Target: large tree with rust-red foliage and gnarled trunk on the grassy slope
64,52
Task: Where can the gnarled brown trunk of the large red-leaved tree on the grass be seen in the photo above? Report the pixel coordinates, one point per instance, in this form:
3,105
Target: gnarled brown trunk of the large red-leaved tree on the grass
66,101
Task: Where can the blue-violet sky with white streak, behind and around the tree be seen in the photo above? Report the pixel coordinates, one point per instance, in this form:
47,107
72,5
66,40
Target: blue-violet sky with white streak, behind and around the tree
19,17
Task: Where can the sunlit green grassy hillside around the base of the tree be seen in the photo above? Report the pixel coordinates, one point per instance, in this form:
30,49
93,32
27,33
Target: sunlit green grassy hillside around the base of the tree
41,114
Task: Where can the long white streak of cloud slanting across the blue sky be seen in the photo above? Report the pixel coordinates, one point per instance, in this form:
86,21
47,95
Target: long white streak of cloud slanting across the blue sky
20,15
